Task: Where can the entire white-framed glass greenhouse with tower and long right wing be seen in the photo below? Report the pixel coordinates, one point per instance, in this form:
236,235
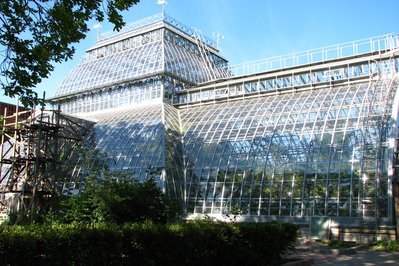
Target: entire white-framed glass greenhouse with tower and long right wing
311,134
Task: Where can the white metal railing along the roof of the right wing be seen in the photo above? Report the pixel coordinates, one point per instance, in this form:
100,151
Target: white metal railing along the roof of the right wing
370,45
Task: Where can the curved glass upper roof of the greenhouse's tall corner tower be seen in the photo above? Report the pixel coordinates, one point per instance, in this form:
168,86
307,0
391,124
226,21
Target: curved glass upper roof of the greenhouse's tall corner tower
146,50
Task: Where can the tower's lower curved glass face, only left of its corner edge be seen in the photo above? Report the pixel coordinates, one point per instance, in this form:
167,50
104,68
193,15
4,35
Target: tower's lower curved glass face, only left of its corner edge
129,139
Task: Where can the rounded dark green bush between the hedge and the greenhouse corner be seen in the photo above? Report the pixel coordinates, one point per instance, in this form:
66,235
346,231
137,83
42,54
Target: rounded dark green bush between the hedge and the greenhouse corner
117,200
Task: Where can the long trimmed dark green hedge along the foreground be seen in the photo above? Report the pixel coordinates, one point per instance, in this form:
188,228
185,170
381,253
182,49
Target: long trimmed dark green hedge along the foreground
190,243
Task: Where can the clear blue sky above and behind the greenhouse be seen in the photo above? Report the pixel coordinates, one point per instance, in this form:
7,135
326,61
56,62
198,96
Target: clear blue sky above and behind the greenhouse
257,29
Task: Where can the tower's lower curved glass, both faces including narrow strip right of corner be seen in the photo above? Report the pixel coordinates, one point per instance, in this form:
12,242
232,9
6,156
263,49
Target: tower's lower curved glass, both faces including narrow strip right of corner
134,140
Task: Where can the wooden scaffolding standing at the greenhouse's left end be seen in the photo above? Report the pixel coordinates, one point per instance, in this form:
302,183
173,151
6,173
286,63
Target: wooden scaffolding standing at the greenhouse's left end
33,144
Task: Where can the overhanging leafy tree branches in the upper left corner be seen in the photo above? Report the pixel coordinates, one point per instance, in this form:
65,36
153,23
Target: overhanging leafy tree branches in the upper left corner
35,34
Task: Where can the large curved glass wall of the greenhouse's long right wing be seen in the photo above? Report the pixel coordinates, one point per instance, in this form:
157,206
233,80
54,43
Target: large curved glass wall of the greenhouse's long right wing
315,152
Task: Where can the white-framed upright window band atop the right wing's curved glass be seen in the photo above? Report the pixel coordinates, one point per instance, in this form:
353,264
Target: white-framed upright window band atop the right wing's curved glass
291,79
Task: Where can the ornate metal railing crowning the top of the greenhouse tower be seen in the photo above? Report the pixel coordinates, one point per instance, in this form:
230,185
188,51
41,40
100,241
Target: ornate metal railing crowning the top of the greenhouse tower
154,19
